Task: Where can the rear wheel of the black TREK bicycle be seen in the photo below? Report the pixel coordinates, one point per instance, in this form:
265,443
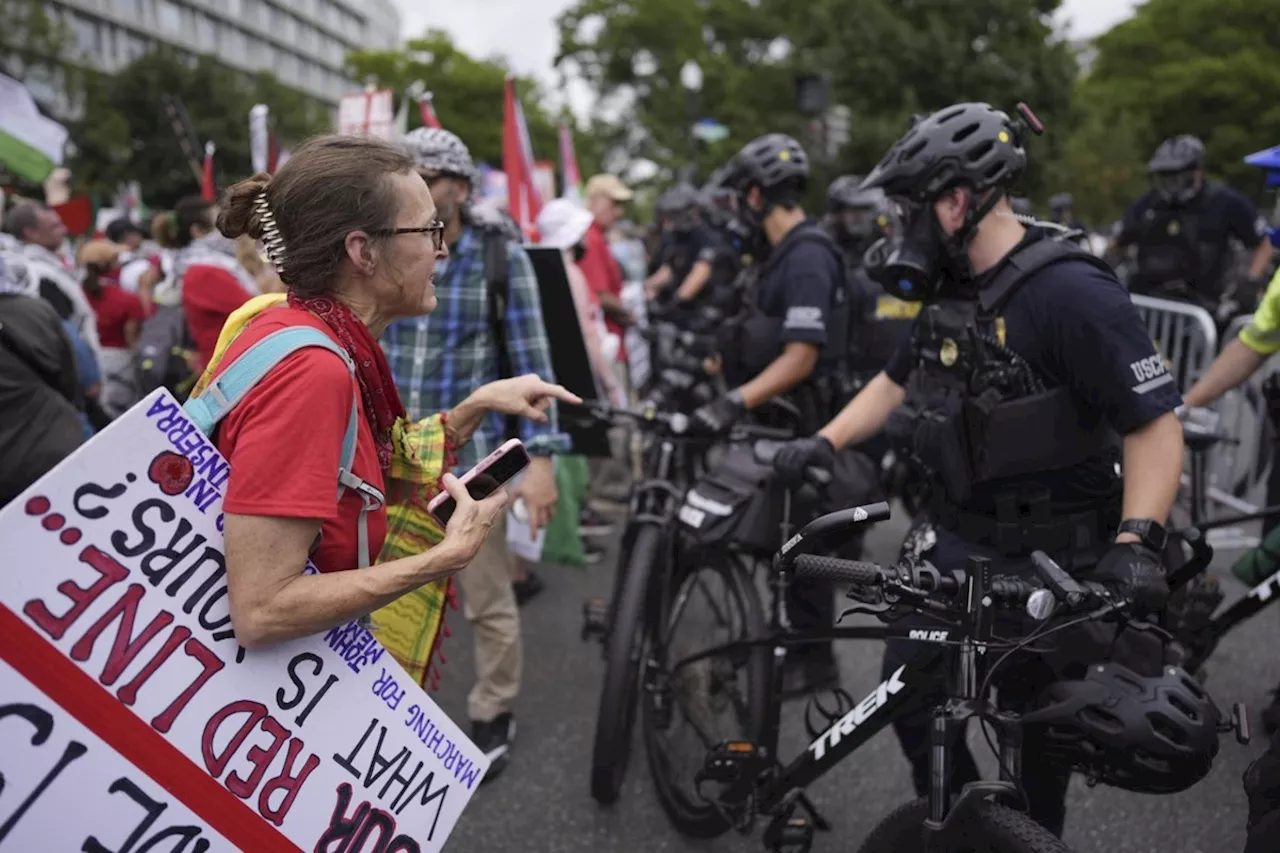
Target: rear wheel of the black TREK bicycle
719,699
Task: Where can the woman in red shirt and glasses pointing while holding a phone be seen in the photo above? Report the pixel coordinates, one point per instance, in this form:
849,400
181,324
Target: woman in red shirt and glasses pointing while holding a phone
353,232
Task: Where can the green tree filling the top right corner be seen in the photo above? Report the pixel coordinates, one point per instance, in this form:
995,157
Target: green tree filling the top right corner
1204,67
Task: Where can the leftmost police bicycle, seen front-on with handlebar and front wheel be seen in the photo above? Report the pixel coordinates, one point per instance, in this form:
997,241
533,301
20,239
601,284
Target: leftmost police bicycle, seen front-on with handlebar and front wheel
648,558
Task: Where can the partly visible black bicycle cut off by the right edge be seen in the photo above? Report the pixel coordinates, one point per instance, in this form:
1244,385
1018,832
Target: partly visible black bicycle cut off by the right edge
1194,615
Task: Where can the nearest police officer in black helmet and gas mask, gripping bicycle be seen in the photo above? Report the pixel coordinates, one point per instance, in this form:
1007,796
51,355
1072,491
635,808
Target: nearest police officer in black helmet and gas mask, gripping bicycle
1002,302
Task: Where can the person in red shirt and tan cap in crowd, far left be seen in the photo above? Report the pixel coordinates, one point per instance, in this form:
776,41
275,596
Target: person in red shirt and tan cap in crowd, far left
120,317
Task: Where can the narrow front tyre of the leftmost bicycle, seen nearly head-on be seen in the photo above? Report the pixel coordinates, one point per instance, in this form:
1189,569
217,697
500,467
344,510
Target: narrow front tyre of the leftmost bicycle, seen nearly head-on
623,659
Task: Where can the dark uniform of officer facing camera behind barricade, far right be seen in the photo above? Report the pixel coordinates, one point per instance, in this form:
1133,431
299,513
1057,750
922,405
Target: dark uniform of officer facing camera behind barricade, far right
1190,244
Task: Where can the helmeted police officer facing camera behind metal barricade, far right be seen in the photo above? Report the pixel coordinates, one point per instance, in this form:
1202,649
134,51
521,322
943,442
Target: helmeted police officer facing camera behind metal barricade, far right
1183,226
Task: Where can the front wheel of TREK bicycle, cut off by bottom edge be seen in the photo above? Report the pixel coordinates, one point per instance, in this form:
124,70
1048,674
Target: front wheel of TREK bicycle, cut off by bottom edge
988,828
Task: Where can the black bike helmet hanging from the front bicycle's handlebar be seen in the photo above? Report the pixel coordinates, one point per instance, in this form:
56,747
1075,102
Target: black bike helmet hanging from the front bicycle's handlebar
1148,735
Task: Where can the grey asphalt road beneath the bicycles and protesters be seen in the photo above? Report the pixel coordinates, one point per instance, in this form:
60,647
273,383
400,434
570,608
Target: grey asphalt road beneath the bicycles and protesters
543,805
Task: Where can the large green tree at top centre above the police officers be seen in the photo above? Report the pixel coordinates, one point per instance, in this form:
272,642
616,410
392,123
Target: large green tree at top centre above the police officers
886,60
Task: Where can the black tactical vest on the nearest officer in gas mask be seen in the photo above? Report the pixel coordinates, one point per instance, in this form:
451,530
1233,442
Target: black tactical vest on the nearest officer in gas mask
998,419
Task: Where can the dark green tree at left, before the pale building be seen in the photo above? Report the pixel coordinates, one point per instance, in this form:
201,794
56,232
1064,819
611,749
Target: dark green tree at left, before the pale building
125,134
